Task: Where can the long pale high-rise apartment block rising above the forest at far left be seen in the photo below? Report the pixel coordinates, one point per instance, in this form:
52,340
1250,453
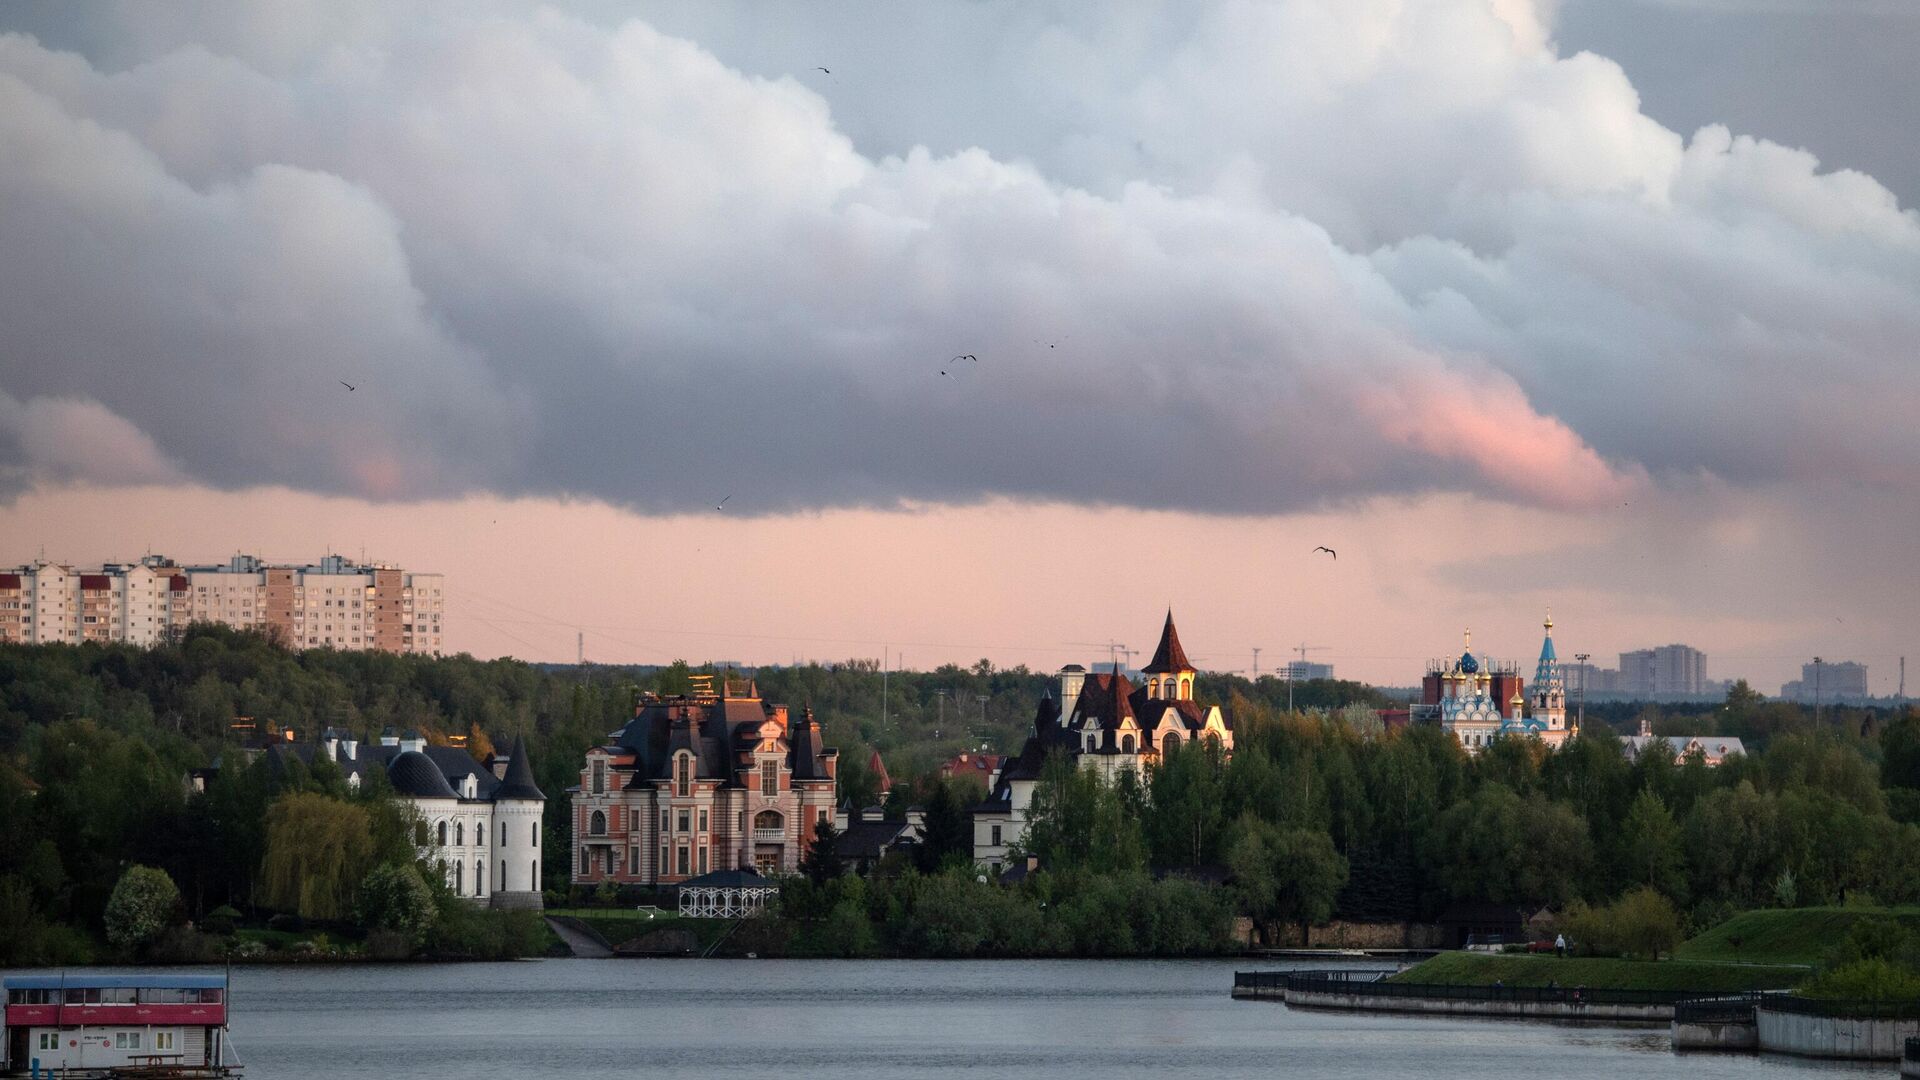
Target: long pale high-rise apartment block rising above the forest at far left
329,604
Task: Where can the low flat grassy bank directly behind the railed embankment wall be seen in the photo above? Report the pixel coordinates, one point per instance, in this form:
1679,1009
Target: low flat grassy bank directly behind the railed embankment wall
1598,973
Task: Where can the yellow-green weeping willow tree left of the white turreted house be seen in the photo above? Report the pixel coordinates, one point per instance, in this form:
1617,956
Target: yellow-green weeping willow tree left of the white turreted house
318,854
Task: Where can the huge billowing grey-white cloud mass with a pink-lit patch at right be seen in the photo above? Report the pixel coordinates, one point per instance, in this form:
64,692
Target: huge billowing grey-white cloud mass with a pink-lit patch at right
1222,258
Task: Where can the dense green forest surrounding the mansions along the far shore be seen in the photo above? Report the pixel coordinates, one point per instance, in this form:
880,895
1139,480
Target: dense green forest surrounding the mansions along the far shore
1320,812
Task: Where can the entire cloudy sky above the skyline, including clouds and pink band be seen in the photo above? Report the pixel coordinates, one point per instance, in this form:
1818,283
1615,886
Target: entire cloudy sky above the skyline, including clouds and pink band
997,328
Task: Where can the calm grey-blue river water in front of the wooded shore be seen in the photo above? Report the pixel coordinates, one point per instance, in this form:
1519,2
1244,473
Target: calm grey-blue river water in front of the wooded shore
890,1019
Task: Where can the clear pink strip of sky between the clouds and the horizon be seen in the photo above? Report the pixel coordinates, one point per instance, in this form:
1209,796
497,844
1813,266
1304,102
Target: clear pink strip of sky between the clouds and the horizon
1024,583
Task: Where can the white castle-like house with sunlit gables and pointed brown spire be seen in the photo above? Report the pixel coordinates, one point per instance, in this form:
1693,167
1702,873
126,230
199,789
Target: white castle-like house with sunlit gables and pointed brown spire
1107,724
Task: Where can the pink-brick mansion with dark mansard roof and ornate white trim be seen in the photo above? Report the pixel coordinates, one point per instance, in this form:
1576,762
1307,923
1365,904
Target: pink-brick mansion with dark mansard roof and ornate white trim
702,783
